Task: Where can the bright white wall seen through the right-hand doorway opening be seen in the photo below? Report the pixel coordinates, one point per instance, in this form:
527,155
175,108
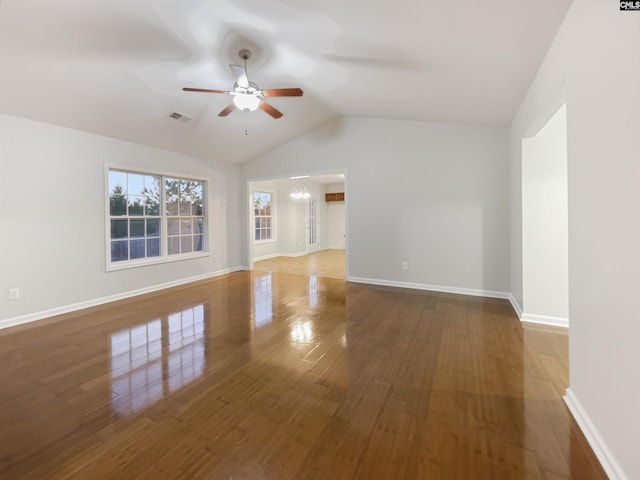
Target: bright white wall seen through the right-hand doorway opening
545,260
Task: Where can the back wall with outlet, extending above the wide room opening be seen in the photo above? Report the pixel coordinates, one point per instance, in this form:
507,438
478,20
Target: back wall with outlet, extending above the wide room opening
435,195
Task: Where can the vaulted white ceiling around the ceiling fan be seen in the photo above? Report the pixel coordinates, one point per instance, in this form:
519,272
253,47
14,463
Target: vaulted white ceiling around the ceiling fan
117,67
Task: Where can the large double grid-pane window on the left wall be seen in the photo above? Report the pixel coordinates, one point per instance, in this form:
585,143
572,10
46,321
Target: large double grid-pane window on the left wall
153,217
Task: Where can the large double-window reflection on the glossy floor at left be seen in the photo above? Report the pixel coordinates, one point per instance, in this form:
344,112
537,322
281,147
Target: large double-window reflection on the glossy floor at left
141,355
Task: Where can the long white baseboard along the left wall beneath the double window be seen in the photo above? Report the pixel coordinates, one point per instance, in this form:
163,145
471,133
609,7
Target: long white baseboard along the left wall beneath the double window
32,317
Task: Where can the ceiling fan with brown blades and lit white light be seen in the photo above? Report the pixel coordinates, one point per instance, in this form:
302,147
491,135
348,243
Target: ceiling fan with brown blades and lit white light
247,96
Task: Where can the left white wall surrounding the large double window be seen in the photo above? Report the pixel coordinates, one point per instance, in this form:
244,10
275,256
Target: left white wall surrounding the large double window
52,239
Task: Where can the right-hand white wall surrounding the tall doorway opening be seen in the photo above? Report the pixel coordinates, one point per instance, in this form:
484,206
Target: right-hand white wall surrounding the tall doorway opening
596,56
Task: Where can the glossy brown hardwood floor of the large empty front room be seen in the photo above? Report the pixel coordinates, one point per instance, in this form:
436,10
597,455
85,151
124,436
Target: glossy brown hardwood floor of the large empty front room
259,375
